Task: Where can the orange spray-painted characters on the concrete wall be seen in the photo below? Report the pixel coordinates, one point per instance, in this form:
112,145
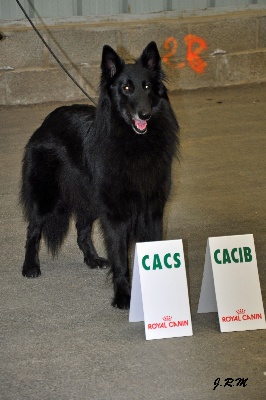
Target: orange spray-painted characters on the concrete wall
195,46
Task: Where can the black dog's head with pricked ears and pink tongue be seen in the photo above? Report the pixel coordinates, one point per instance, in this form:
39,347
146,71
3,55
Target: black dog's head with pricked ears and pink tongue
135,90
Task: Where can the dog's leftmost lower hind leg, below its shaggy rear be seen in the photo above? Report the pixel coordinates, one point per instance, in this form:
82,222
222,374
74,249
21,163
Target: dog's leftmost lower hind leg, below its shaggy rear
31,266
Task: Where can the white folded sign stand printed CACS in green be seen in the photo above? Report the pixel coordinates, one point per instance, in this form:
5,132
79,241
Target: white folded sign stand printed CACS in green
159,295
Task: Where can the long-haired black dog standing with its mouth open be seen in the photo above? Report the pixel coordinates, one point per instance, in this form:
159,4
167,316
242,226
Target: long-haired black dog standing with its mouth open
111,163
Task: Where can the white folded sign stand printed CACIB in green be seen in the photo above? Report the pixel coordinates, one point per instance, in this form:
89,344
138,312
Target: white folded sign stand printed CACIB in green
231,284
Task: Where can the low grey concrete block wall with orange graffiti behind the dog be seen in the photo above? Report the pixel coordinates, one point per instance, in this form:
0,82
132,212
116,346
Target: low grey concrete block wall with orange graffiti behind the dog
197,50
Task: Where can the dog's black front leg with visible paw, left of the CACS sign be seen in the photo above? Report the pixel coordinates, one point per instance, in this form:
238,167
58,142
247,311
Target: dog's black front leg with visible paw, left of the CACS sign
116,237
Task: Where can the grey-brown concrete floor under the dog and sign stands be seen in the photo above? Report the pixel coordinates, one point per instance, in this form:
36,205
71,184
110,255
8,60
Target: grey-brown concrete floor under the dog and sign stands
61,339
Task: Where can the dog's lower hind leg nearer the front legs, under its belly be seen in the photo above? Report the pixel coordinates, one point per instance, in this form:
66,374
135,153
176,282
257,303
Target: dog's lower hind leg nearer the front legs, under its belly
84,232
